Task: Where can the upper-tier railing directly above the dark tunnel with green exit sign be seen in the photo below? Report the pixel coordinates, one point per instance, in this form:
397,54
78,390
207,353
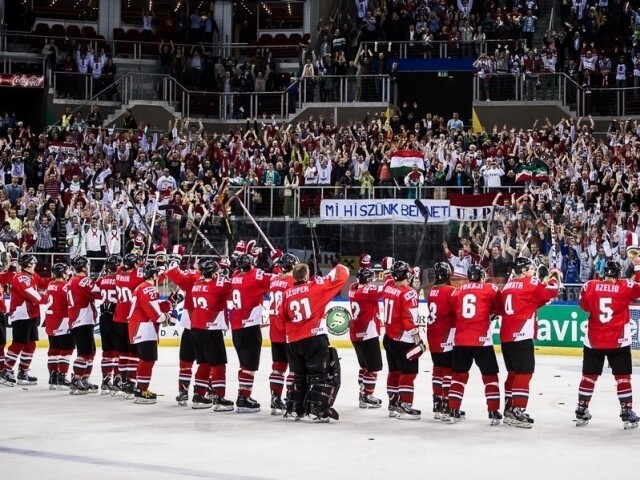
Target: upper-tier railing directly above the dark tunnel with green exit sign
438,48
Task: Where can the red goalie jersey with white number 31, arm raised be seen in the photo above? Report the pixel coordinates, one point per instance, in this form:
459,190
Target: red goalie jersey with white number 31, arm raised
304,305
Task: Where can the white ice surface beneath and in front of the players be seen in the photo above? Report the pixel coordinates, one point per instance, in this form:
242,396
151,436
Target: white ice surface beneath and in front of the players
52,435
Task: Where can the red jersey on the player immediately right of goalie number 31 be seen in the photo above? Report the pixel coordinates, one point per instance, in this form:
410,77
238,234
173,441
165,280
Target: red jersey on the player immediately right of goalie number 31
365,312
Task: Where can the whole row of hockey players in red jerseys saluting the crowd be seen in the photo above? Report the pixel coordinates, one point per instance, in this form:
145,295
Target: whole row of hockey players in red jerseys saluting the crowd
227,293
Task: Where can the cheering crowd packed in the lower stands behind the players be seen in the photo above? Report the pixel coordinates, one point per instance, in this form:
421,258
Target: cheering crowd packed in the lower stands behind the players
582,210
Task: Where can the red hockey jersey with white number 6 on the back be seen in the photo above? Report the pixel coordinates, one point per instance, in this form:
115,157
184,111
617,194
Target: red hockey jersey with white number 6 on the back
474,304
